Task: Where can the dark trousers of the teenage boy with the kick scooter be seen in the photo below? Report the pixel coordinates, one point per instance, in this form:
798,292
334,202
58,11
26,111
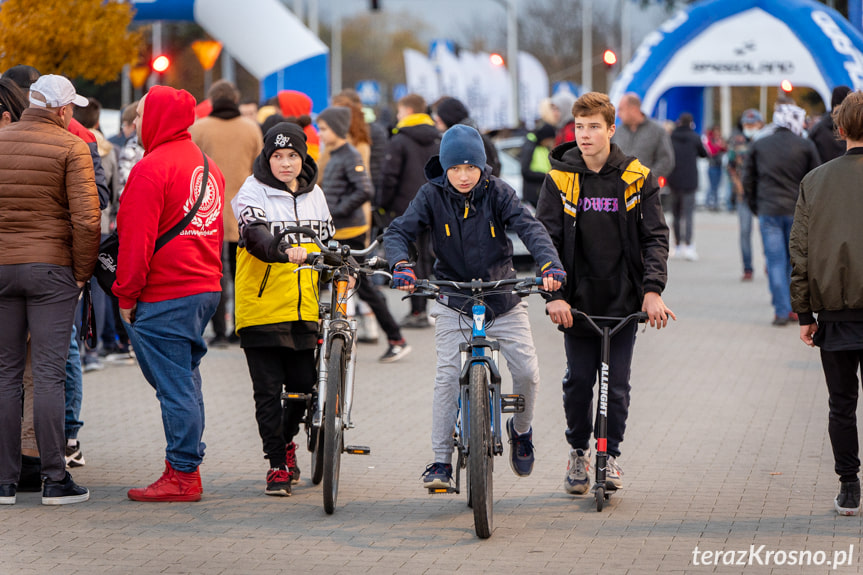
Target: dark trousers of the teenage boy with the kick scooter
582,366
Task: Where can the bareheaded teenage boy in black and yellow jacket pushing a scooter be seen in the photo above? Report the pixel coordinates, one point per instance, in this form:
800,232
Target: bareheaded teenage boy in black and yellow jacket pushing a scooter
602,211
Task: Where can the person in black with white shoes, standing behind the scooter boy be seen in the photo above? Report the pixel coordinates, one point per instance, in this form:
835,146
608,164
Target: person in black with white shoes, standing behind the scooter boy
683,181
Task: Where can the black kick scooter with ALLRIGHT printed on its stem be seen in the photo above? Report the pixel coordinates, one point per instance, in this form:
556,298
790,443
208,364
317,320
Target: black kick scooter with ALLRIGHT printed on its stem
610,326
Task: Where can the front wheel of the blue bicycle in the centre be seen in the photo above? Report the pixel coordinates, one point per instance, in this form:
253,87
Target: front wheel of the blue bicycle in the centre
480,464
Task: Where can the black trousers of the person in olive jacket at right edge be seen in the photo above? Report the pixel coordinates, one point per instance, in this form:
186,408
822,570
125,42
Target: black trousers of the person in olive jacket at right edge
840,370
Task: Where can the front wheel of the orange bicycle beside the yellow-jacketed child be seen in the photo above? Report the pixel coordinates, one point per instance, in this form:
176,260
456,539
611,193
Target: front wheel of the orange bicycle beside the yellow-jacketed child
333,411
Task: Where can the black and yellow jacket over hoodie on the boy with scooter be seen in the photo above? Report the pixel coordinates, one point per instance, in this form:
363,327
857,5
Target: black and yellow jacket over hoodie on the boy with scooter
608,228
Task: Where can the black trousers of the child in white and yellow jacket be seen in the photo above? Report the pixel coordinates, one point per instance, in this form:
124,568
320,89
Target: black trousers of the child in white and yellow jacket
273,370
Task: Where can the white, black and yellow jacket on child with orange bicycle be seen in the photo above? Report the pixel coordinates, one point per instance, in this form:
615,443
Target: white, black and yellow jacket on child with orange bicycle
276,306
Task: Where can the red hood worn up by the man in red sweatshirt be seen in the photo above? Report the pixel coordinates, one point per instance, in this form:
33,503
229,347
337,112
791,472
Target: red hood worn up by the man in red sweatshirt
168,113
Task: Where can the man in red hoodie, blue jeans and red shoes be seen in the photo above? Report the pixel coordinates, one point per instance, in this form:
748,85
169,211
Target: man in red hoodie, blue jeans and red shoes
168,297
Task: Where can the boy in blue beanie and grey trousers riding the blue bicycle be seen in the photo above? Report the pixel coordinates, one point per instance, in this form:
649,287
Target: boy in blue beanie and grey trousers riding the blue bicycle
468,212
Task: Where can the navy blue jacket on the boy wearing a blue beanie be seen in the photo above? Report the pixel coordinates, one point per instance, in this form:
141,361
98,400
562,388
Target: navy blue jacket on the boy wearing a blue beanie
469,233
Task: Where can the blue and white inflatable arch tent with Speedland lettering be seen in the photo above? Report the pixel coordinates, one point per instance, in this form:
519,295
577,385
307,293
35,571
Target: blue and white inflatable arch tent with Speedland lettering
743,43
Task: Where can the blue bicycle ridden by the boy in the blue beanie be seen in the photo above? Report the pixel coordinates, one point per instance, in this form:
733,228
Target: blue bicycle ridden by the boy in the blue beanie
477,434
